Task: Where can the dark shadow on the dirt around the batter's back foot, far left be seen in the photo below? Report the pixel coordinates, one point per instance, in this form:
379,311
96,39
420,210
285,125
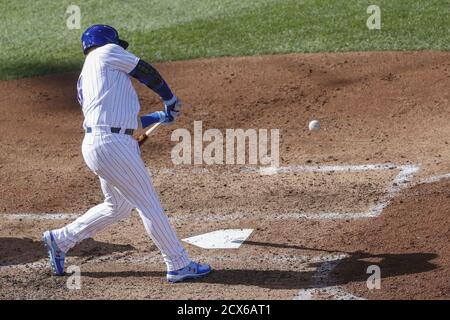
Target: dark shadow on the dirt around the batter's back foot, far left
14,251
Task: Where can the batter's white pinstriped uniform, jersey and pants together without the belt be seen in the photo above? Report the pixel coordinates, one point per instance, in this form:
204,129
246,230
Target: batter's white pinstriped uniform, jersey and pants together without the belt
108,98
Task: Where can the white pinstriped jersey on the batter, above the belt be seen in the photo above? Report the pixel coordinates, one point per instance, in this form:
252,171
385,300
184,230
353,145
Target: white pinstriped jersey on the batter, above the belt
105,91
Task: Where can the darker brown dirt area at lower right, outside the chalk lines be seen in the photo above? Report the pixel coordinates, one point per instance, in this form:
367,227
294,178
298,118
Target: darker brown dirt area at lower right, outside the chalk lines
410,244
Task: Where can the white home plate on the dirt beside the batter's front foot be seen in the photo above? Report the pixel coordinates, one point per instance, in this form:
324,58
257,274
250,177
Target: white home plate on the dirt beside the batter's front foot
220,239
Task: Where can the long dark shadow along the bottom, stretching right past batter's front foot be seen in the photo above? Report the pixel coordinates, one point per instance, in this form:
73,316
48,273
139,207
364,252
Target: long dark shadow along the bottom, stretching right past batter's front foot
290,275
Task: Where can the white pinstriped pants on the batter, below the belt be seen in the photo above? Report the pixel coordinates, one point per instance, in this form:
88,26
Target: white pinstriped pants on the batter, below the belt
126,184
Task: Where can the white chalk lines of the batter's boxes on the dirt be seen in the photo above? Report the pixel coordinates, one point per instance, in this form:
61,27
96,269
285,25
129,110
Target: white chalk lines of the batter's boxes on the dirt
320,288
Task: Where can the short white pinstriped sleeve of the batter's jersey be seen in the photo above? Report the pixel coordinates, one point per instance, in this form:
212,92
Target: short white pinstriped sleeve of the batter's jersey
118,58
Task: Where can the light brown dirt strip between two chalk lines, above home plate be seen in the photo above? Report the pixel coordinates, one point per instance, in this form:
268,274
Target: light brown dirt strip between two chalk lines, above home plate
285,193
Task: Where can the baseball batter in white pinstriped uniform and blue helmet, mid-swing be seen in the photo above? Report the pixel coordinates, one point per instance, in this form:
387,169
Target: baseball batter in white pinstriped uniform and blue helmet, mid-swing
110,106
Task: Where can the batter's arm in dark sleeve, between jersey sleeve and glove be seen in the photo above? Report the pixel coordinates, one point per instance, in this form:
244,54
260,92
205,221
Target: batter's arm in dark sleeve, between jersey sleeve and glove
149,76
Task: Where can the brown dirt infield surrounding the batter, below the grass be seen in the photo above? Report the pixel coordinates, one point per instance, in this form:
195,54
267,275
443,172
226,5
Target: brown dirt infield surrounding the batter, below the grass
316,231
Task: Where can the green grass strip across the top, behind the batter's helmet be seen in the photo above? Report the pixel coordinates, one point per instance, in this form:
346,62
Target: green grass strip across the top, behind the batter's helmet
35,40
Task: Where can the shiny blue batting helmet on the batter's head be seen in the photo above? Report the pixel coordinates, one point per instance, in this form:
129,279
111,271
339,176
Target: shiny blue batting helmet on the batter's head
98,35
